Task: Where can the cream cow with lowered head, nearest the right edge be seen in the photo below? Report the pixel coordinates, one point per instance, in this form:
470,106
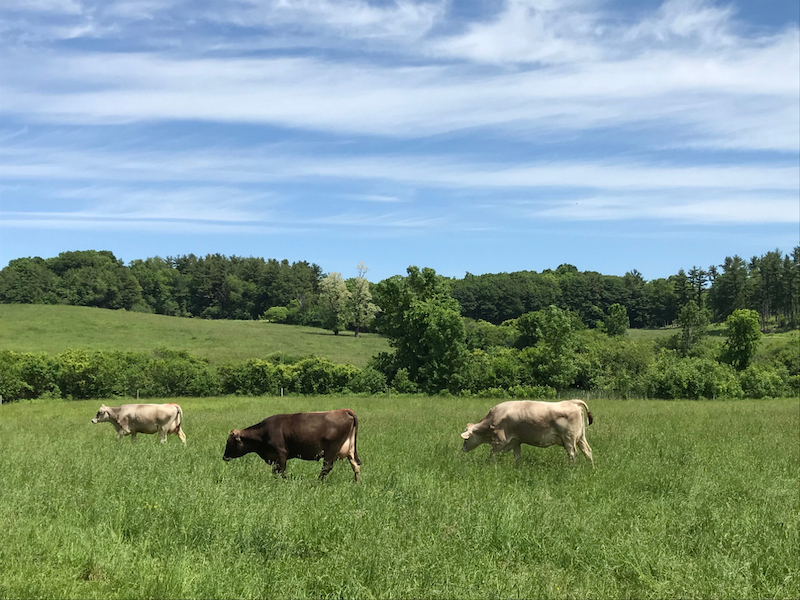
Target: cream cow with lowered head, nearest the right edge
543,424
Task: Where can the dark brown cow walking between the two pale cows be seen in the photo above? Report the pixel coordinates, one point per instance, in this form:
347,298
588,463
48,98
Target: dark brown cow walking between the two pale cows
329,435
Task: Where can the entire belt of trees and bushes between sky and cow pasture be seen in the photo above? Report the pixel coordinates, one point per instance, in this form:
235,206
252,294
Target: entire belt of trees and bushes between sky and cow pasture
523,334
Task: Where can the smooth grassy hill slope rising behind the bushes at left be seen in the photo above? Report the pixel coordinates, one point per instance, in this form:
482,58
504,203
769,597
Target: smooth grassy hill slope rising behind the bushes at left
54,329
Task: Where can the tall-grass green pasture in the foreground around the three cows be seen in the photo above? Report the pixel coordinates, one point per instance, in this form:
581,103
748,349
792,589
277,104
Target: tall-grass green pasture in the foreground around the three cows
688,499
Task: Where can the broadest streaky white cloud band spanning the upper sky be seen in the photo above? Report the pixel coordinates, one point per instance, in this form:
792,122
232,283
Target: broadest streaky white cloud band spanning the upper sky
731,97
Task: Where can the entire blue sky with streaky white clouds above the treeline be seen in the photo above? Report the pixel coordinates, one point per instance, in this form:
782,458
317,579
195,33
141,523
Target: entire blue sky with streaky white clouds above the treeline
463,136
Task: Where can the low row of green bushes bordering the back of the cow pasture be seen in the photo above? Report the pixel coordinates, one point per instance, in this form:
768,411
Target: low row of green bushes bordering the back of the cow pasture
619,369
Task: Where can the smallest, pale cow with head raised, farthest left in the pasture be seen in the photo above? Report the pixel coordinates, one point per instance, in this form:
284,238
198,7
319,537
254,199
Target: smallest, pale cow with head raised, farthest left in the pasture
130,419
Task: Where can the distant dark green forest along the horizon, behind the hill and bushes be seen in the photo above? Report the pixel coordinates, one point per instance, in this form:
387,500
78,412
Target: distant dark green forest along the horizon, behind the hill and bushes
220,287
